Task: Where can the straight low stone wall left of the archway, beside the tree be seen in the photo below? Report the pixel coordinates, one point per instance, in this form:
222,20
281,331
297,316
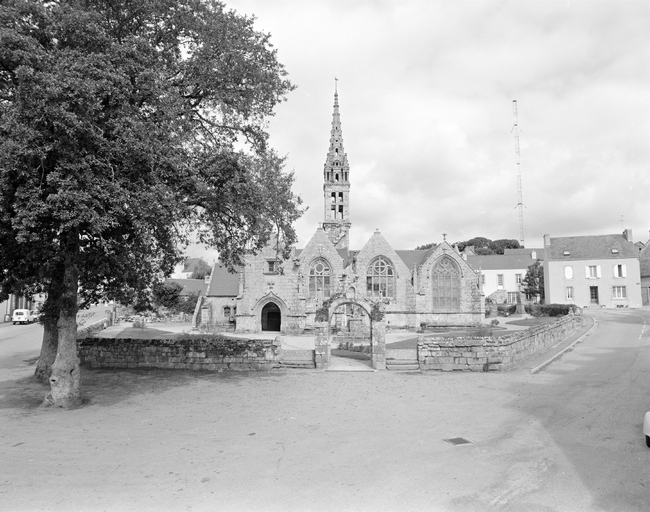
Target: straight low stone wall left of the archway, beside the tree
192,354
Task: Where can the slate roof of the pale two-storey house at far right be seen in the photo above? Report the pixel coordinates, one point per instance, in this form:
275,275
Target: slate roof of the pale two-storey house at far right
591,247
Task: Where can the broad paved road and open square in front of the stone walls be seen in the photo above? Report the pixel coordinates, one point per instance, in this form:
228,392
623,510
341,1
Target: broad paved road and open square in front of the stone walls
566,439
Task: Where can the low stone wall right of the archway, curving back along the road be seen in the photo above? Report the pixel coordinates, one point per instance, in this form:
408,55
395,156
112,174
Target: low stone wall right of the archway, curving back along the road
492,354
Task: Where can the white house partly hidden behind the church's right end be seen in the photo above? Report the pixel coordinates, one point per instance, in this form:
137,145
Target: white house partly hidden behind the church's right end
502,275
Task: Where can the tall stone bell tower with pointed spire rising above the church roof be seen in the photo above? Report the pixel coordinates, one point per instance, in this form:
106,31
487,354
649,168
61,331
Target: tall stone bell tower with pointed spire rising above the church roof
336,185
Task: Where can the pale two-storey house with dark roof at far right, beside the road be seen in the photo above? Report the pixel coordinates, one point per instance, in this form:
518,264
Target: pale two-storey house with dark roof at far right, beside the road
592,271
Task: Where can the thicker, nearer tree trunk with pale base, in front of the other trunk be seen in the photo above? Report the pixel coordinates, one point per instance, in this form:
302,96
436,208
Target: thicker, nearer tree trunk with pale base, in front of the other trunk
65,380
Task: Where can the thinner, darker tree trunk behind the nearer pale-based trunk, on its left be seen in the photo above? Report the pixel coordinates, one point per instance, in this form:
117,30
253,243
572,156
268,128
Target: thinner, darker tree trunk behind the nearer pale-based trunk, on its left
50,312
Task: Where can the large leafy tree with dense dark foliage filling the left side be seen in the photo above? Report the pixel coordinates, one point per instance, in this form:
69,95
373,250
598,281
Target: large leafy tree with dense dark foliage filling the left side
126,126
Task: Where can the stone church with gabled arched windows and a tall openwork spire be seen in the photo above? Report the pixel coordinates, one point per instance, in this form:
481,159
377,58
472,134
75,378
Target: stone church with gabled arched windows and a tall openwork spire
411,287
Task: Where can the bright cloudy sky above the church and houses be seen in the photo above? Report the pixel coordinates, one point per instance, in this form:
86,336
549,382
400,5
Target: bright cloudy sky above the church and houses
426,92
